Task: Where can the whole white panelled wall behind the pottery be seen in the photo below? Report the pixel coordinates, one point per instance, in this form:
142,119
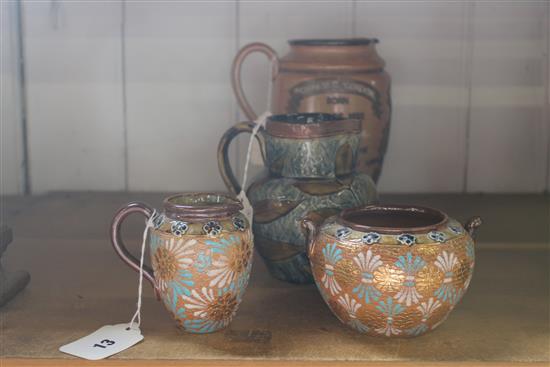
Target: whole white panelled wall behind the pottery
135,95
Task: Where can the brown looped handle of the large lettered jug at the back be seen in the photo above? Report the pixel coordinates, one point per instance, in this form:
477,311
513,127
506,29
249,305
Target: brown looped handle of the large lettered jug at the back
236,73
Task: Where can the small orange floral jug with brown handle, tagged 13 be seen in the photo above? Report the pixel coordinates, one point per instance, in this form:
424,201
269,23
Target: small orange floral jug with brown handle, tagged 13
201,254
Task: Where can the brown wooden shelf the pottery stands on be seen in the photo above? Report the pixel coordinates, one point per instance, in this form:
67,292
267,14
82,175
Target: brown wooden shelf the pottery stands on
78,285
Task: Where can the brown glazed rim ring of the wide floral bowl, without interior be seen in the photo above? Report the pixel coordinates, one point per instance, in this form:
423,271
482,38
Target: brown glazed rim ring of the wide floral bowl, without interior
409,209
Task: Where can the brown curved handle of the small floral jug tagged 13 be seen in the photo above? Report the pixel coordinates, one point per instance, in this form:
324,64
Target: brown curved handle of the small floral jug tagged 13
120,248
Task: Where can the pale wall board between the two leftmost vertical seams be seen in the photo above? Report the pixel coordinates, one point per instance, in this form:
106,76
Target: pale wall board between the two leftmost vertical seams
74,95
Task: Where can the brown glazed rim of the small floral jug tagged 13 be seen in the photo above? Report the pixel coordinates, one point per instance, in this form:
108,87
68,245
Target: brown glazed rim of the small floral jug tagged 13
227,206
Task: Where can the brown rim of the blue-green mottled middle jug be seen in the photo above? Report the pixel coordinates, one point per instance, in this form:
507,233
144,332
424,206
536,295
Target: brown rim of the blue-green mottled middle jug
328,125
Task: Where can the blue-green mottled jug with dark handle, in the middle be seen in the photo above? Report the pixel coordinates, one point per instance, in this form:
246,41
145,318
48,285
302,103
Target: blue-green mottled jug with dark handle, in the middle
310,160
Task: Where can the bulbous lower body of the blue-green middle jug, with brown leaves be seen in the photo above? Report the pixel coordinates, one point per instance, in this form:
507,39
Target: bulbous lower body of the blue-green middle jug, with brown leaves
281,203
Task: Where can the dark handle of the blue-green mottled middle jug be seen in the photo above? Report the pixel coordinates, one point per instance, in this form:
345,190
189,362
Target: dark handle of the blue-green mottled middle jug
223,157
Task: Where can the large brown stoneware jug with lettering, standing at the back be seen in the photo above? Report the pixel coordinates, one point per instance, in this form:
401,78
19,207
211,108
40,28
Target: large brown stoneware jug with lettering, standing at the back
341,76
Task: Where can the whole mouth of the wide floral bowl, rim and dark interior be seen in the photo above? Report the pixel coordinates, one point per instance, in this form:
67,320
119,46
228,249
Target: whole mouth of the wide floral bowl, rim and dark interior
393,218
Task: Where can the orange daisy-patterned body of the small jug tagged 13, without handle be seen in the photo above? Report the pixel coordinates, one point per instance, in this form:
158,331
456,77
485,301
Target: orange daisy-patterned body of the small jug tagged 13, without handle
201,279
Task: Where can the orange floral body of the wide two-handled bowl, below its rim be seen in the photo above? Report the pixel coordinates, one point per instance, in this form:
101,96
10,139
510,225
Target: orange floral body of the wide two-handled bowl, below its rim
392,281
